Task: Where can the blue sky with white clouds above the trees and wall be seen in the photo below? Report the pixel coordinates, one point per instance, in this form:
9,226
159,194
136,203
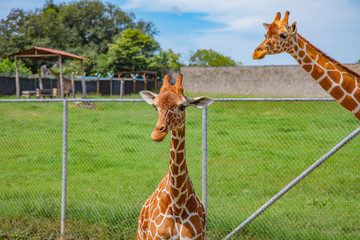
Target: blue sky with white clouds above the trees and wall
234,27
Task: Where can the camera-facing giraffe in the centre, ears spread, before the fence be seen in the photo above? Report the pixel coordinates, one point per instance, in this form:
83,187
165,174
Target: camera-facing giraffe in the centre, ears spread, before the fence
173,211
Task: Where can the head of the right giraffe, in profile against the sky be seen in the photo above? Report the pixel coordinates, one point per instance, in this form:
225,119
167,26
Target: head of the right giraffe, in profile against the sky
279,37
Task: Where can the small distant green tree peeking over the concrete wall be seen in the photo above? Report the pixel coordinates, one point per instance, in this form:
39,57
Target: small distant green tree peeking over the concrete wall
211,58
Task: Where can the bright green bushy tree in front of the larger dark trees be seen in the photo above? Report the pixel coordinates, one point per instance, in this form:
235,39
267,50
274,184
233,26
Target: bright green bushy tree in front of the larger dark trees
132,51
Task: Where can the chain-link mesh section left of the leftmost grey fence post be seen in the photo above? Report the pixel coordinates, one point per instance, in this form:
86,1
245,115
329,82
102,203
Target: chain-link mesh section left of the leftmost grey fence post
30,160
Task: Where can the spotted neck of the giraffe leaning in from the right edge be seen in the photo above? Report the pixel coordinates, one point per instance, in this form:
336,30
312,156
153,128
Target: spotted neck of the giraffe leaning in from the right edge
338,80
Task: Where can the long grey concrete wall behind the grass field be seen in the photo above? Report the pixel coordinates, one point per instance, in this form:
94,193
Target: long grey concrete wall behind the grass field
254,81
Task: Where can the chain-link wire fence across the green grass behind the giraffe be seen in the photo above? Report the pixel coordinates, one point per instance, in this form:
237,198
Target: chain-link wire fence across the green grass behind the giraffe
254,149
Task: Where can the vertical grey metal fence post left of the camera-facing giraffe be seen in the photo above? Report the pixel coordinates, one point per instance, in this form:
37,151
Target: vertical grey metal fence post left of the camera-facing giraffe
64,169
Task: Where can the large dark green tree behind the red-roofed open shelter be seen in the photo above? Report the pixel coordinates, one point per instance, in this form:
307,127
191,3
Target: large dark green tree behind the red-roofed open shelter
84,27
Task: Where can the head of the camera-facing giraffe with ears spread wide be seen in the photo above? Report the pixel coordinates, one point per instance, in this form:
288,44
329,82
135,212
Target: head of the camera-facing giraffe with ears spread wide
170,104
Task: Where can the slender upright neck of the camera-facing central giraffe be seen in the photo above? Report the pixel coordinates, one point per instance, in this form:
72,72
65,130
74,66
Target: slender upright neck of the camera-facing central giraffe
180,184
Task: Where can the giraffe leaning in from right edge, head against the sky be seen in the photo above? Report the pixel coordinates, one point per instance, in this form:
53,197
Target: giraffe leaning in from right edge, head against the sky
338,80
